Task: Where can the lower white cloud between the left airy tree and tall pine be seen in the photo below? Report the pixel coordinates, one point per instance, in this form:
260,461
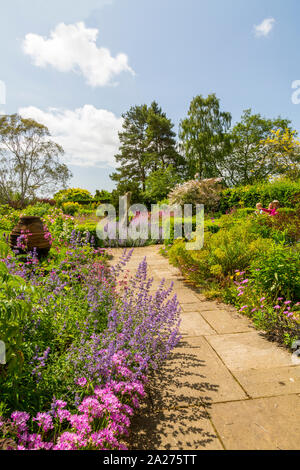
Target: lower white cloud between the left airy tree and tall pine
88,135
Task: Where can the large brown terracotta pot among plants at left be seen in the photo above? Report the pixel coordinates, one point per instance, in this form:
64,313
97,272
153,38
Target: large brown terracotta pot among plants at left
33,229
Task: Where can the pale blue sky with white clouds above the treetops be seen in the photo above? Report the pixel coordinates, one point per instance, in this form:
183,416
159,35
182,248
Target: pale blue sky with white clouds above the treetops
172,50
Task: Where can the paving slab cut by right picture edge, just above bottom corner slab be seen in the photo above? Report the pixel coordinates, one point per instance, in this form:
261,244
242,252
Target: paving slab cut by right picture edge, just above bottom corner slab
270,382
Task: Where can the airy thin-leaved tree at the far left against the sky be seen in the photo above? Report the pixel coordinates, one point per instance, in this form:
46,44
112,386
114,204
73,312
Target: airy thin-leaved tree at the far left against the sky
29,161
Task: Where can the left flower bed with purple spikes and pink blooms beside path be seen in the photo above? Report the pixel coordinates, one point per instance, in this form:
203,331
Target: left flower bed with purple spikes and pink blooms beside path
81,338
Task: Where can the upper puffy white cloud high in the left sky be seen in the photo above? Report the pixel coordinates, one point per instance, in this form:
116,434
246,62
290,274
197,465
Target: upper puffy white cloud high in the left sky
73,48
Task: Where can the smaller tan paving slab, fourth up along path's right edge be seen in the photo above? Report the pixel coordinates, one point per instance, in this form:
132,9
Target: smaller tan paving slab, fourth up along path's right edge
224,321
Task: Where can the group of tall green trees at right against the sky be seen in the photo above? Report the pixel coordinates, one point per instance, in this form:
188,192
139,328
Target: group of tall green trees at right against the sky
151,161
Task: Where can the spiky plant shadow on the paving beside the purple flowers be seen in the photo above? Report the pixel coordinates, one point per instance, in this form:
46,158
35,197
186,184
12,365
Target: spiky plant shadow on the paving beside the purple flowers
175,413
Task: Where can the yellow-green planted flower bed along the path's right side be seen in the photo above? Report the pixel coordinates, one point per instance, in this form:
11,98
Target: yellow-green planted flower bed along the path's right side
253,262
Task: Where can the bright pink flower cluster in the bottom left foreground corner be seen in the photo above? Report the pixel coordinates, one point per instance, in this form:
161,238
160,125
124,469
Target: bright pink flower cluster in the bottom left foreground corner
101,419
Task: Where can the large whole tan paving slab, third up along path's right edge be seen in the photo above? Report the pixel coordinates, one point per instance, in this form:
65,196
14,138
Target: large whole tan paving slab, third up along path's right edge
242,351
